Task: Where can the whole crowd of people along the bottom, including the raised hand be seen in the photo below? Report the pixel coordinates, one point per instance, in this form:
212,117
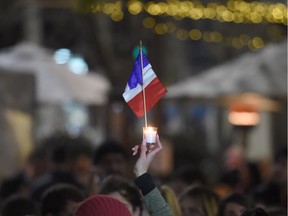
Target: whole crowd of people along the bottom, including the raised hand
67,176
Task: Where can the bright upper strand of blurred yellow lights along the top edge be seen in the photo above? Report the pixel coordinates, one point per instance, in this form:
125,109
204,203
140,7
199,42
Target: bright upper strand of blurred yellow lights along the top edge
236,11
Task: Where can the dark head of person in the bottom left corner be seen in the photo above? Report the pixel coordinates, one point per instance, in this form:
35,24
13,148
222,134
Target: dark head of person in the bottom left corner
16,205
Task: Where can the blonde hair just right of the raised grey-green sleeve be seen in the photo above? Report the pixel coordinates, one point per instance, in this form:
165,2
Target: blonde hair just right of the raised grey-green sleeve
171,199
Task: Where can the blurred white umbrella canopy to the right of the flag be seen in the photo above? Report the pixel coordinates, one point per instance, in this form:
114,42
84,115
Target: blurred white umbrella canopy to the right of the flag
263,72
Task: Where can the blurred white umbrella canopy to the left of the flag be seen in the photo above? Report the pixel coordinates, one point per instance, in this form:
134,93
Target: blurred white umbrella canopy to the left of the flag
55,83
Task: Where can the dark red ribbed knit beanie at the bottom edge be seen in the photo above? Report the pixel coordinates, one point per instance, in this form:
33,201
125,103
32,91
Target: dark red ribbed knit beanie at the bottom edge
102,205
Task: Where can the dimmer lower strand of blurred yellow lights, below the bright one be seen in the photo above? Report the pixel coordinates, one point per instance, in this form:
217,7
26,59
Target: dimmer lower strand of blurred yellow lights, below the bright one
239,42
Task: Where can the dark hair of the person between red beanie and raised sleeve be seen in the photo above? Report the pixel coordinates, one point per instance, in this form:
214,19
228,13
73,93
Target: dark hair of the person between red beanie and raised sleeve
128,190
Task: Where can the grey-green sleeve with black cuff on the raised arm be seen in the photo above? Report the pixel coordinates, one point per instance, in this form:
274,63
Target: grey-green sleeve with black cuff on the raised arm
152,197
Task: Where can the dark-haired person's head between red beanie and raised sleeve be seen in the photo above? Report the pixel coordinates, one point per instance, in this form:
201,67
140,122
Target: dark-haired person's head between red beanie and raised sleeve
123,190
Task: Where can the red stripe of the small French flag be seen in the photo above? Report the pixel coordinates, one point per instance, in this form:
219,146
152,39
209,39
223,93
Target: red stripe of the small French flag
153,92
